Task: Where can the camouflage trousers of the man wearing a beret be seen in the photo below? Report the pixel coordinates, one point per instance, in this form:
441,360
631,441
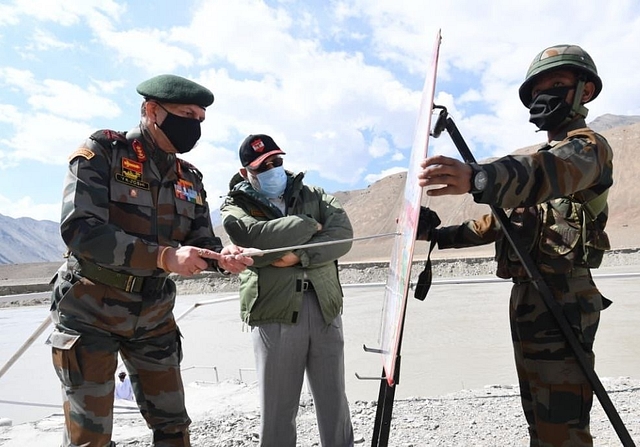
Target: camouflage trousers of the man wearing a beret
93,324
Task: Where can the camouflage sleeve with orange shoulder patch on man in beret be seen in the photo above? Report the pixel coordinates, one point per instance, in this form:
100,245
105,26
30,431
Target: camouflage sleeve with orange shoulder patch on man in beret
85,226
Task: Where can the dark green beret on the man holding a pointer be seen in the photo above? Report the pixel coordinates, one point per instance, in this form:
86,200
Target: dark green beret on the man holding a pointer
175,89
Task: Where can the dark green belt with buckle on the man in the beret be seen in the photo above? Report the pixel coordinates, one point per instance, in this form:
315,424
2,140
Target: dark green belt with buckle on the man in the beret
128,283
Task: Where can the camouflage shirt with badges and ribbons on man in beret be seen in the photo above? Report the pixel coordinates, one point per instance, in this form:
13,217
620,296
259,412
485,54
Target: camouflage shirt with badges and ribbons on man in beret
118,207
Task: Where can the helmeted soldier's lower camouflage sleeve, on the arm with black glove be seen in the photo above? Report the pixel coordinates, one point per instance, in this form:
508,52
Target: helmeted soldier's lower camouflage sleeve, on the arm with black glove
469,234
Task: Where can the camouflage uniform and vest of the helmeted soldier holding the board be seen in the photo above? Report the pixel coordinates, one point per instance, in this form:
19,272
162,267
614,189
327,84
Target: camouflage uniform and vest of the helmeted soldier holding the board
559,211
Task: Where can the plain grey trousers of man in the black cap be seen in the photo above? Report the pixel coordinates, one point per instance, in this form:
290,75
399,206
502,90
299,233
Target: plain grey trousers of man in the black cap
283,352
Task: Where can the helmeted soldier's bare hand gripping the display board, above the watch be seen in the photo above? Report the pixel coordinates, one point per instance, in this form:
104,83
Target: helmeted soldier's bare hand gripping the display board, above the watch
452,176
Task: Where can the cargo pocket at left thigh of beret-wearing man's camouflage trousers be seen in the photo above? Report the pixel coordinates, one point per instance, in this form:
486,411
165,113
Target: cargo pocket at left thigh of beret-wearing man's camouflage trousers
65,357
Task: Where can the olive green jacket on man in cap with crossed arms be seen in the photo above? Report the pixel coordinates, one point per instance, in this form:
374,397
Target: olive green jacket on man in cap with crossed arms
271,294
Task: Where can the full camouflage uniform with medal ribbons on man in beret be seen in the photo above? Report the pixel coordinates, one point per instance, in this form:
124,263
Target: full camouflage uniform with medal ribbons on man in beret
123,198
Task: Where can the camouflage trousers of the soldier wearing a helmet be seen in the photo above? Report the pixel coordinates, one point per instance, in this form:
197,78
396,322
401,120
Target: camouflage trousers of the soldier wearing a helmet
556,395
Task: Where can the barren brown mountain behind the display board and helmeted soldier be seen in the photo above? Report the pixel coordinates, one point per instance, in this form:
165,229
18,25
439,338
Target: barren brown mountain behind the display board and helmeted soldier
374,210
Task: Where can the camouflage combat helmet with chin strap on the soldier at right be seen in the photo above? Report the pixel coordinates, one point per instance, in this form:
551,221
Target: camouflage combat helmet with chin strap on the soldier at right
571,57
